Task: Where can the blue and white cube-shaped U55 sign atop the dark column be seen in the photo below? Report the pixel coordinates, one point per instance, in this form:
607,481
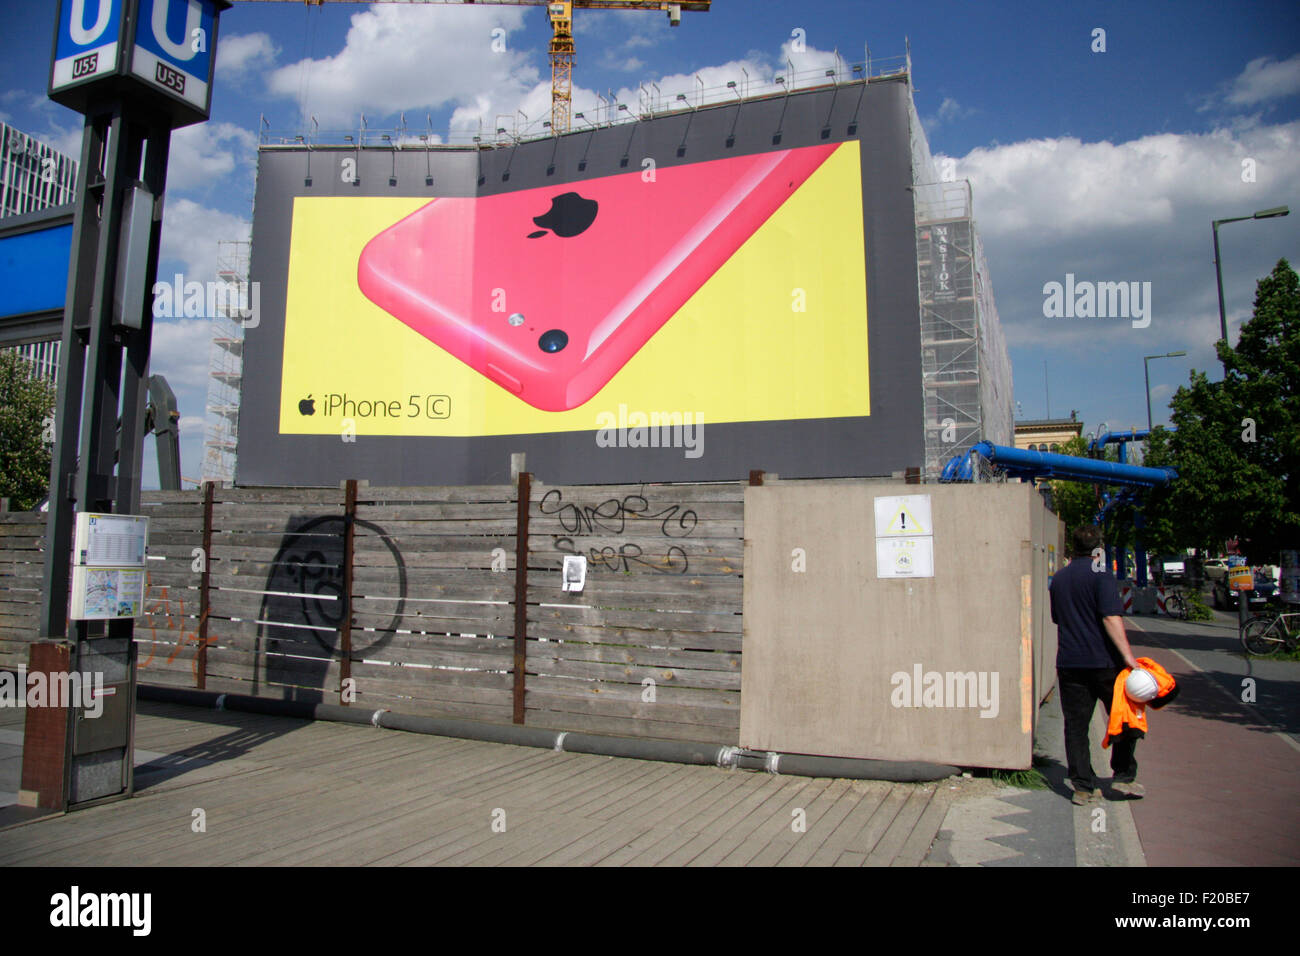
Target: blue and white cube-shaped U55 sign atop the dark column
162,49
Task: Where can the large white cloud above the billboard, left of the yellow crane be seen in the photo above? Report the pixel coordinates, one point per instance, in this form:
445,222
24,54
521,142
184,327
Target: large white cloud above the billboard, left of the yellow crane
410,59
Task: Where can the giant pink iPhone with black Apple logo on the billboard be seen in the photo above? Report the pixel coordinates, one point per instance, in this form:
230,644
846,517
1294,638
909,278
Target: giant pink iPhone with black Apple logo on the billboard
551,292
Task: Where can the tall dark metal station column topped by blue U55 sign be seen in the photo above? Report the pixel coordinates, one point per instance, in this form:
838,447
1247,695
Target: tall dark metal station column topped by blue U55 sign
136,76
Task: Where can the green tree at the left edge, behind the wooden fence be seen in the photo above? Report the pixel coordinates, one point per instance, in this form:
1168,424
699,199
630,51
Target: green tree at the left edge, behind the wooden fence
27,409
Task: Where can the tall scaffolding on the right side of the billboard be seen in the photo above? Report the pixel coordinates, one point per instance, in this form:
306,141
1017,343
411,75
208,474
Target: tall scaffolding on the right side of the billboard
967,373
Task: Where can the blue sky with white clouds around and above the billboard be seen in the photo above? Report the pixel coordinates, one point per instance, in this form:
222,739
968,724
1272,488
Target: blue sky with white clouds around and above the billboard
1108,166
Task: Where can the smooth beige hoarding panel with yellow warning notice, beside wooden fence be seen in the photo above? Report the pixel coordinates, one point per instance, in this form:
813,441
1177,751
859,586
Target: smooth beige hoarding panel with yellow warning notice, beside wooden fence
843,663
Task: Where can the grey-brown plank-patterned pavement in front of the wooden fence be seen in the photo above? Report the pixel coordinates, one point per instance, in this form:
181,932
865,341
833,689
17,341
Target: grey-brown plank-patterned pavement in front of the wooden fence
279,791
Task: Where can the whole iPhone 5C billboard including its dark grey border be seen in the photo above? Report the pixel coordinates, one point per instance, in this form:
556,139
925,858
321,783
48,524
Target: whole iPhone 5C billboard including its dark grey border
760,345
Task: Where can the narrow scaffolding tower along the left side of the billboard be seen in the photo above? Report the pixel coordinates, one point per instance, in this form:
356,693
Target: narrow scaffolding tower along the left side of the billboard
226,364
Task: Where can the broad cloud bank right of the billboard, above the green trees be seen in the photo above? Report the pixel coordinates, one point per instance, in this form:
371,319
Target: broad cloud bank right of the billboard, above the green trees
1134,211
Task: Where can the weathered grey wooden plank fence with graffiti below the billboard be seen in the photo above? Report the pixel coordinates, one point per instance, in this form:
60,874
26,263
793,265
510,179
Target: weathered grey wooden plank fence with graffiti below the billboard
417,600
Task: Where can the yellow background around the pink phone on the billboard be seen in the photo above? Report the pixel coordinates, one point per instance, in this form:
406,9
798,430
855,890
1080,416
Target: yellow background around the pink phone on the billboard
739,351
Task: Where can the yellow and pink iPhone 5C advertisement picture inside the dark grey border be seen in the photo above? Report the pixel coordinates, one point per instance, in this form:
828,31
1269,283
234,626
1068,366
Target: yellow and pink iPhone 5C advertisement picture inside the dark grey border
554,310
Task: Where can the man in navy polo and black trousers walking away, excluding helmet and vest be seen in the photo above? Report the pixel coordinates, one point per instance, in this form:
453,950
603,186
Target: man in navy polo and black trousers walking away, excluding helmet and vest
1093,648
